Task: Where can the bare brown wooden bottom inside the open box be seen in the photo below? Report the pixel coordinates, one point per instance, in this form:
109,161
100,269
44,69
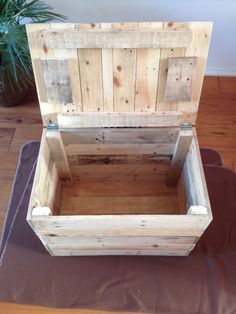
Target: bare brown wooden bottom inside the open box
120,189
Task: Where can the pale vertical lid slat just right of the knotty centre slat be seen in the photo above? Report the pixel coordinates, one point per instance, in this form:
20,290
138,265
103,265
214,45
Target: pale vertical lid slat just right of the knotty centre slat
147,70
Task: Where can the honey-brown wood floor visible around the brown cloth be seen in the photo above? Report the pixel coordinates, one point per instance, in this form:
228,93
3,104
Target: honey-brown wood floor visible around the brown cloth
215,128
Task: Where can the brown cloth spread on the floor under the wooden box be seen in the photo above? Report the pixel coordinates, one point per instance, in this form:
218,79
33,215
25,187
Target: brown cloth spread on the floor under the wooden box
204,282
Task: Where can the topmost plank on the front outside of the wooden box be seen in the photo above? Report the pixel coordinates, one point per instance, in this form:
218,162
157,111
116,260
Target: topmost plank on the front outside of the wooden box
125,225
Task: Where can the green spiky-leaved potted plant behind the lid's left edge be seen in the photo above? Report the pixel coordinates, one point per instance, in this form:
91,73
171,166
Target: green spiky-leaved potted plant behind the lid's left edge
16,74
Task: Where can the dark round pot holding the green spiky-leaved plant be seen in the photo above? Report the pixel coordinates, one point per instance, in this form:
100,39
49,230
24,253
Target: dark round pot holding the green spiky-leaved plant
9,98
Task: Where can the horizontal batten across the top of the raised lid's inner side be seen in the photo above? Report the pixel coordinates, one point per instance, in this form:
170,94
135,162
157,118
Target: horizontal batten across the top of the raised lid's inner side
110,38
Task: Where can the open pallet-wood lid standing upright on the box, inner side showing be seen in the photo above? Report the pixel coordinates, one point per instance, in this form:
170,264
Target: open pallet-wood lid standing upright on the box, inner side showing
120,74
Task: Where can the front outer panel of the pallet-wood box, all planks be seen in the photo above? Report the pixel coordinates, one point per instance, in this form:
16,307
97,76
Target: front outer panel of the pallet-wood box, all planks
120,235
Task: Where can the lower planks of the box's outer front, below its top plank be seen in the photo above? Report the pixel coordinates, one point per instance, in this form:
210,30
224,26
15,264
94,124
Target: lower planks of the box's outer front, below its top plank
120,245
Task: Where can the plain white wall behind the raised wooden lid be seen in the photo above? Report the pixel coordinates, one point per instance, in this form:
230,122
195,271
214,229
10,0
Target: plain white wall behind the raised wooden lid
222,55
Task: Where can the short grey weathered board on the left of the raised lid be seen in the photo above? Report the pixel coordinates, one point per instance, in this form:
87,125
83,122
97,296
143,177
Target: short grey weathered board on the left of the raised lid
57,80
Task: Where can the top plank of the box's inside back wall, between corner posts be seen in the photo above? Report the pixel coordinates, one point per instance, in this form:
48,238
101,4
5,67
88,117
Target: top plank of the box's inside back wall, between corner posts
119,135
